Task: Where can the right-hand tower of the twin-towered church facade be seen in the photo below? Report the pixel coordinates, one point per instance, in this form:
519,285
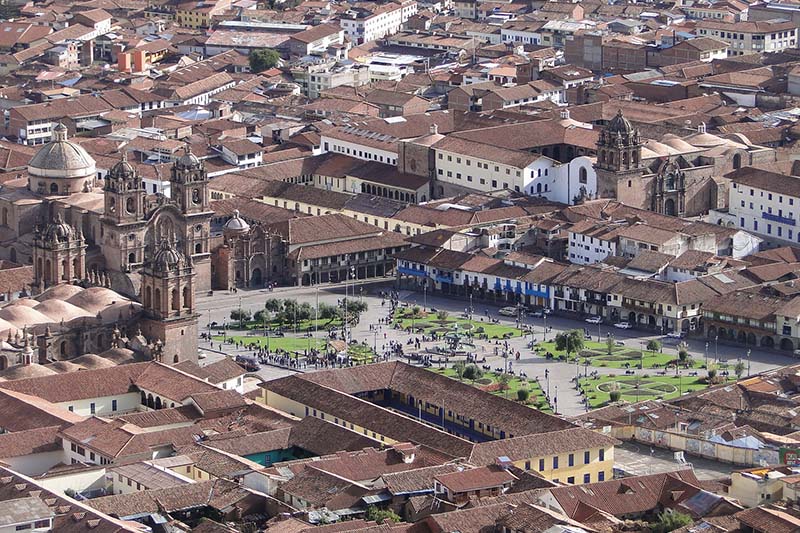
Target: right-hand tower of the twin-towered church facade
189,191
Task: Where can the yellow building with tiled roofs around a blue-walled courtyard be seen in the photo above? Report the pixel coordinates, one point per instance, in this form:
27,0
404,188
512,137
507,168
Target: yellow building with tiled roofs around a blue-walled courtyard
567,453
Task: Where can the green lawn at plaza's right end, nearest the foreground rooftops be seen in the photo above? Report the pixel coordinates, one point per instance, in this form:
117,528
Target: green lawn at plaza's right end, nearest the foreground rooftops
649,387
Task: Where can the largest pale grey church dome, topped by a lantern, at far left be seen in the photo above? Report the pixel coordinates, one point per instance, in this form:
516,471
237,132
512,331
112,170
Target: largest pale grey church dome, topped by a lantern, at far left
61,158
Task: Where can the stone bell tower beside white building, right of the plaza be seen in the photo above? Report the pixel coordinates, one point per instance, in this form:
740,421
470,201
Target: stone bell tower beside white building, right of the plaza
619,160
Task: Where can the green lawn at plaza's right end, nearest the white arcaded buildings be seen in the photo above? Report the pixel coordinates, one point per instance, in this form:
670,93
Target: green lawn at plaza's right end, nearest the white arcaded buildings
597,355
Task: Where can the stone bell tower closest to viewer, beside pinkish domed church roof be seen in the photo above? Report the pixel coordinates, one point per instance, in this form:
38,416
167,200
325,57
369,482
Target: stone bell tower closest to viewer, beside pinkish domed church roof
168,300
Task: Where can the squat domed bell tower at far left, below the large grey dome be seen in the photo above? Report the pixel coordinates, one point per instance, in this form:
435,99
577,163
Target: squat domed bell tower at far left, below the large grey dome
59,254
